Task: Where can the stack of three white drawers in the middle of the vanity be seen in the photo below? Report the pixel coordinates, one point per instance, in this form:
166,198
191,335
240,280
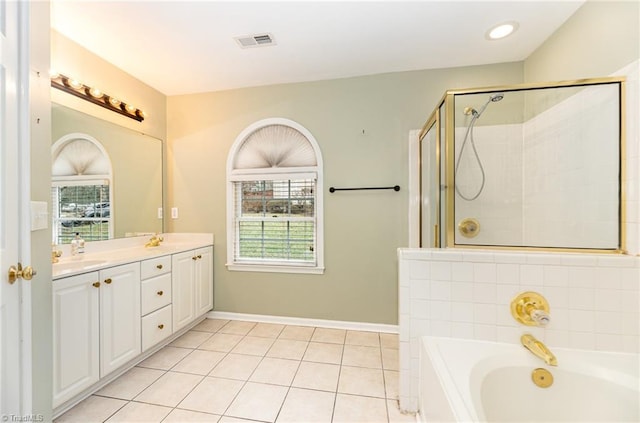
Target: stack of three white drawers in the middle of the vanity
156,301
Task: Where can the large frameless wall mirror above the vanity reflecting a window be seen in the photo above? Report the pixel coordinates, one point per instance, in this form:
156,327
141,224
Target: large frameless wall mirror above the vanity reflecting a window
106,179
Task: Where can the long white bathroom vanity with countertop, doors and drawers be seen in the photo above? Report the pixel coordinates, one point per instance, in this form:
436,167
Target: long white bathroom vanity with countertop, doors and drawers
120,302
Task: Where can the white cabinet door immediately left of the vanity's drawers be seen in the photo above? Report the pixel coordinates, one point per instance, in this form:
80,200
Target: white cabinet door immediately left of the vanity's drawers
120,339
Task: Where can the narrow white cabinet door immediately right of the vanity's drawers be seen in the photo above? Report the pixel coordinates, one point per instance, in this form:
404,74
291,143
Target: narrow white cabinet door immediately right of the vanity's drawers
182,289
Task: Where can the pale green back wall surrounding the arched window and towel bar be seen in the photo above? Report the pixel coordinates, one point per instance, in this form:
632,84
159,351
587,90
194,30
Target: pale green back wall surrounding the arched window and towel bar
362,229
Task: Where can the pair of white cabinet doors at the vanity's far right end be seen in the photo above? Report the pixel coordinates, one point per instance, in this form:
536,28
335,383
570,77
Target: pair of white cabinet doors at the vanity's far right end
192,285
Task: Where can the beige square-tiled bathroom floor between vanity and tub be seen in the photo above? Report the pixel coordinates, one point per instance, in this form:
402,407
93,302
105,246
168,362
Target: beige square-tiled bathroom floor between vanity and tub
235,371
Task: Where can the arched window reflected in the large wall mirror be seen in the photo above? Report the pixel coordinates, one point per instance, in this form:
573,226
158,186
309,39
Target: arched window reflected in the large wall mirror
80,189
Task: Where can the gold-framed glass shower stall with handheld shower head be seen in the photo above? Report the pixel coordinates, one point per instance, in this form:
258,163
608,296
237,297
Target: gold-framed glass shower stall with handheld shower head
536,166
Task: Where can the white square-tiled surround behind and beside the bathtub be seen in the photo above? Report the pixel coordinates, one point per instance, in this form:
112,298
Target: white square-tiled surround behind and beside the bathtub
594,301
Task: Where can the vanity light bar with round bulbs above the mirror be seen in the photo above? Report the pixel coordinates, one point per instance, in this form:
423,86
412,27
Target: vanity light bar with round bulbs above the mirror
95,96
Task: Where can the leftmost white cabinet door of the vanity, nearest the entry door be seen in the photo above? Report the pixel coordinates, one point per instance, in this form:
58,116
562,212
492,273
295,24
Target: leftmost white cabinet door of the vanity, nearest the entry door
75,335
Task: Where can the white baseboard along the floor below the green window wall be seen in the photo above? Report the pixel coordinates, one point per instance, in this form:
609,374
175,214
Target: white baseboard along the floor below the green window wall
299,321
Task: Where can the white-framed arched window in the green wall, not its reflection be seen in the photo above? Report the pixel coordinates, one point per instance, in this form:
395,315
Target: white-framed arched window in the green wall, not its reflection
274,199
